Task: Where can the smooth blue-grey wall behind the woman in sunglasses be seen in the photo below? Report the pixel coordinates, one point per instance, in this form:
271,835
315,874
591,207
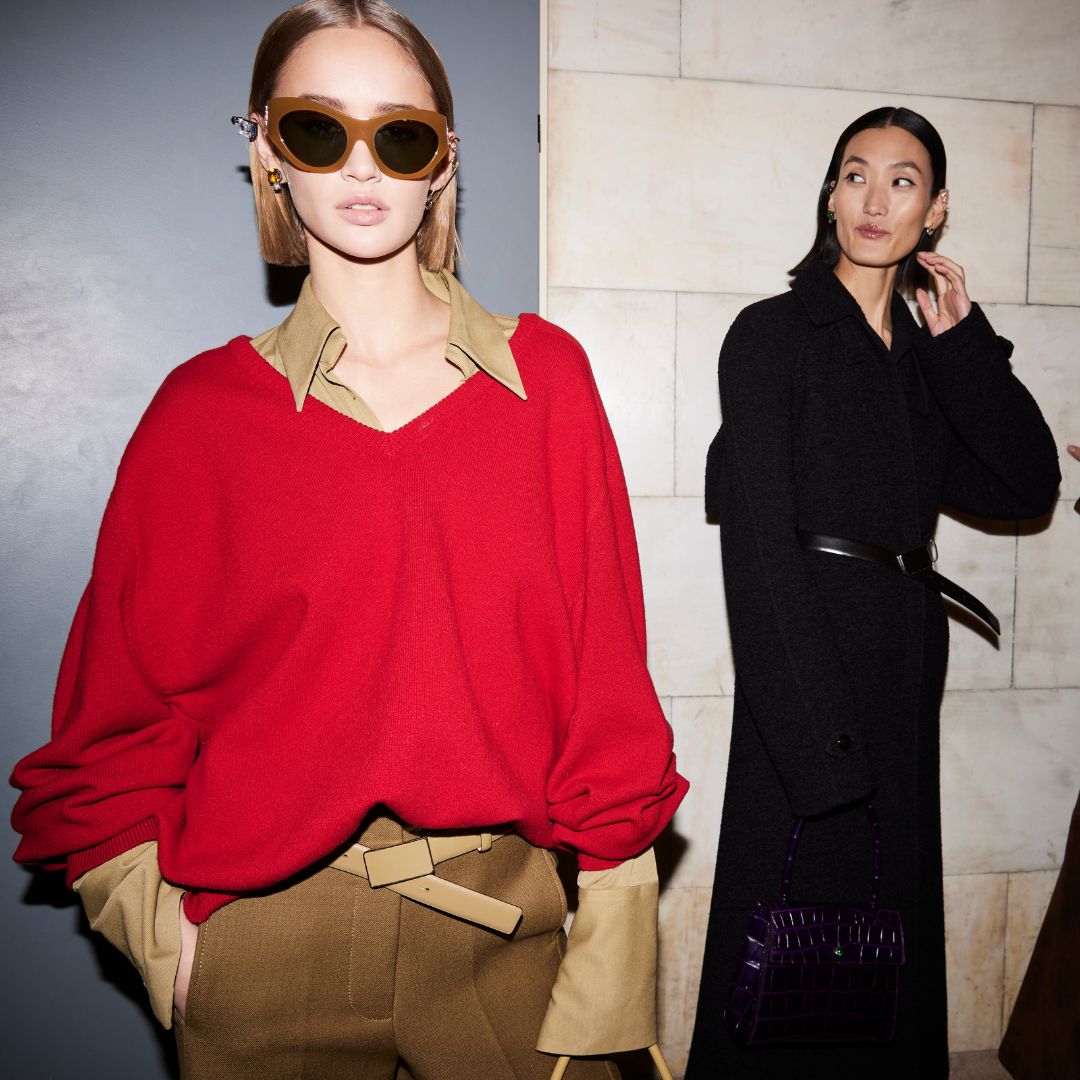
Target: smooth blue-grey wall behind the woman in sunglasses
129,245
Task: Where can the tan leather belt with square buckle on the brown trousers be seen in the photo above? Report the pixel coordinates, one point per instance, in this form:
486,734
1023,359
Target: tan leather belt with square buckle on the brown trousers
407,869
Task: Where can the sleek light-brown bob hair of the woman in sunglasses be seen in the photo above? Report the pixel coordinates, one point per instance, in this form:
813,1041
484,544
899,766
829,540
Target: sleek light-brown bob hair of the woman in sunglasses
281,234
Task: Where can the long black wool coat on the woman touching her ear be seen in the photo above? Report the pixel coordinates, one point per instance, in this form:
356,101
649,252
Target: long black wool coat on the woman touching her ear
840,663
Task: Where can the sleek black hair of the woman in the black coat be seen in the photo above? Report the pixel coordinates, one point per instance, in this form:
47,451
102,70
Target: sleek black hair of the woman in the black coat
826,249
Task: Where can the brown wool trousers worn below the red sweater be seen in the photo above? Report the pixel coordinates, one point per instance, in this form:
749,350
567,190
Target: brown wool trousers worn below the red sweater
332,979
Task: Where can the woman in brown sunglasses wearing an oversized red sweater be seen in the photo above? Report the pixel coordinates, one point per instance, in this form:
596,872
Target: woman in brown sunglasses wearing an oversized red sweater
364,639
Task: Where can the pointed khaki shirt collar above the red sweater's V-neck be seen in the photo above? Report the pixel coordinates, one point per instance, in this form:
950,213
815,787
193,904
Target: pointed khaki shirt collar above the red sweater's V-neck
310,336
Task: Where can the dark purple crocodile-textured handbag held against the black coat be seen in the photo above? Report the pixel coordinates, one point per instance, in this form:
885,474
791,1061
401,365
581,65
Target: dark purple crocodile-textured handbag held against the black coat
820,973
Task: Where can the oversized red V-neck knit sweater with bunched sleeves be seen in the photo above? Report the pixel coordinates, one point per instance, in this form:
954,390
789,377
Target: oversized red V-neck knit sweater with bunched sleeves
294,618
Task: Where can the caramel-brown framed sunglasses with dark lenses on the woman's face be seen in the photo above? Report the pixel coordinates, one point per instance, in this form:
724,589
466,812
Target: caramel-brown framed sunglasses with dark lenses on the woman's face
407,144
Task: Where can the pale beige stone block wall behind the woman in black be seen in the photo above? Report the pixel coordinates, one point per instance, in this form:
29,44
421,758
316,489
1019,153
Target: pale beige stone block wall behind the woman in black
685,141
